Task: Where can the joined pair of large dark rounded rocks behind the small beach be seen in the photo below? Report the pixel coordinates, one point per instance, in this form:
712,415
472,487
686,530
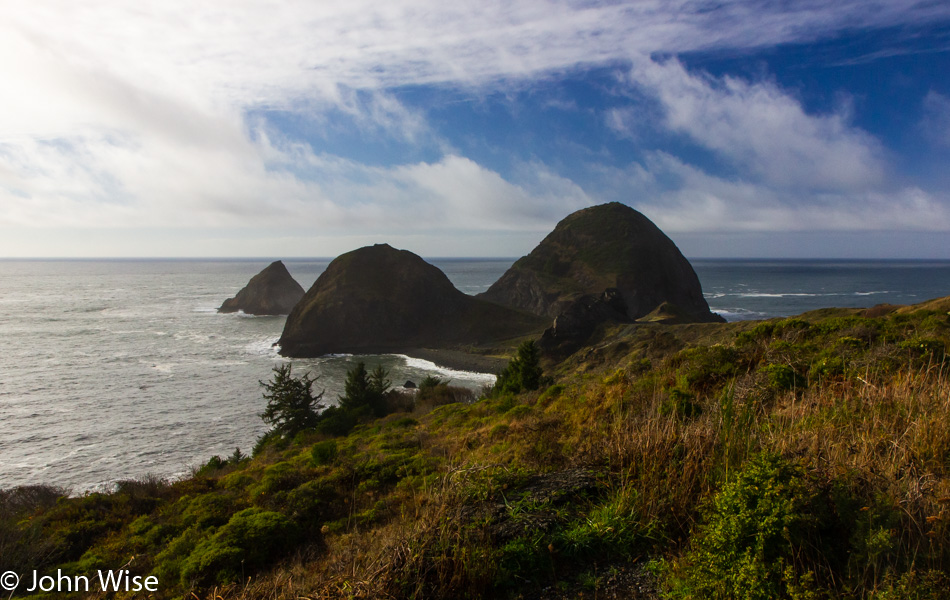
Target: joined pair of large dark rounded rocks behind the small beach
601,265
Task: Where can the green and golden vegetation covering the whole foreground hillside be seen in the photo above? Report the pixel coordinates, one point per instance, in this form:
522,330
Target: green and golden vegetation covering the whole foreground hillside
803,458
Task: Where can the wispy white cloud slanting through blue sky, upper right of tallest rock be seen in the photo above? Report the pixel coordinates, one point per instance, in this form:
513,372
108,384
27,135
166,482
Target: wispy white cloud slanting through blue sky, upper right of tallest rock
763,131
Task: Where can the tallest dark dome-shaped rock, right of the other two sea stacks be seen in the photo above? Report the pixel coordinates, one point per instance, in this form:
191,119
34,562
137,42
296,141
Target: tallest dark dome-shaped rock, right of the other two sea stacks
602,247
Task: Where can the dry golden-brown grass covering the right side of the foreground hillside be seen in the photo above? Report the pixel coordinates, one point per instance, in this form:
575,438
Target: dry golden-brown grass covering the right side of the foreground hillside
888,438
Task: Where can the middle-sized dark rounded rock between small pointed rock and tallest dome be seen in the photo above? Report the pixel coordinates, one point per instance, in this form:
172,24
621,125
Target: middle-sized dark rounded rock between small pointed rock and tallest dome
380,299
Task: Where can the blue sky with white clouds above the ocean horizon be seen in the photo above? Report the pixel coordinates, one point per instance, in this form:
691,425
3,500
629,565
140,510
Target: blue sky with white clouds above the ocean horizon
236,128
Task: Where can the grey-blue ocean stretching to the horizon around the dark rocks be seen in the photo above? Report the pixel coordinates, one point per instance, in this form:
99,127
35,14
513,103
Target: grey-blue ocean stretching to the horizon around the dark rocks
114,369
